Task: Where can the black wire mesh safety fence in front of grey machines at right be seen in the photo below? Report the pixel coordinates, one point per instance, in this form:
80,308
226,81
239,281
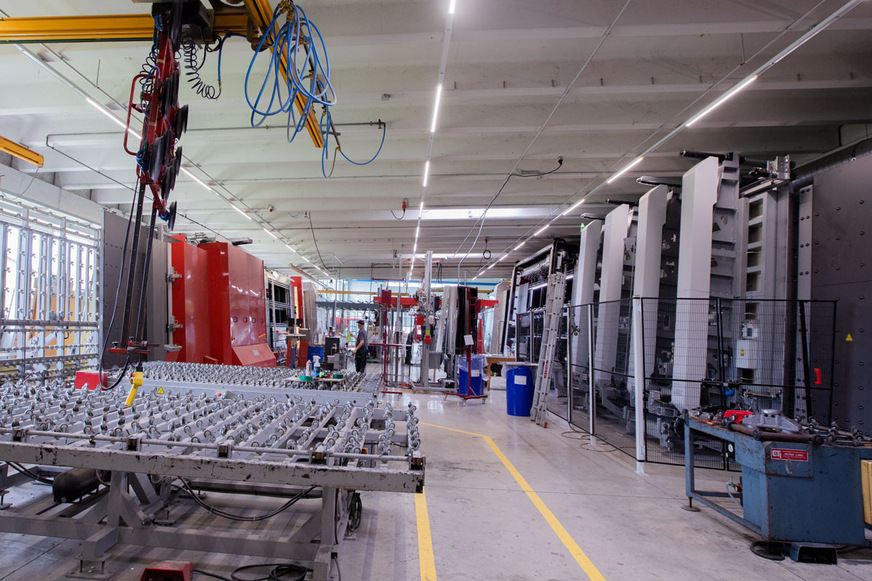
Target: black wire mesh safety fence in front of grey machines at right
713,354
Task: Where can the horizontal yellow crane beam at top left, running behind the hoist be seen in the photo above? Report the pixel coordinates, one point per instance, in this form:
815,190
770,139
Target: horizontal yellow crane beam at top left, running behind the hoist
103,28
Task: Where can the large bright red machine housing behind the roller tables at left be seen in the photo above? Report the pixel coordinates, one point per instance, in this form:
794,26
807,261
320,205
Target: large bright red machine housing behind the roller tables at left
220,301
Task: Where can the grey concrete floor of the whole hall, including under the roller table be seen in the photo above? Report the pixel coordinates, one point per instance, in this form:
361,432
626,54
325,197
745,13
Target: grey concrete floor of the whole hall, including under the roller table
484,526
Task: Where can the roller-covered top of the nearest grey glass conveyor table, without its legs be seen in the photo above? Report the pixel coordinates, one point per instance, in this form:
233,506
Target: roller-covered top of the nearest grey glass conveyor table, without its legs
99,427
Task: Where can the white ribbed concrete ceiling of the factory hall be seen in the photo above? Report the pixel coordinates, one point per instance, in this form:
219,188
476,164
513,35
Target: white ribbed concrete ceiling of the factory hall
509,64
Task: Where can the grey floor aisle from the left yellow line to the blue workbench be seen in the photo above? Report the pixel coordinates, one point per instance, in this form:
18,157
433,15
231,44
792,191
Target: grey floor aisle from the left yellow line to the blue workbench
629,527
